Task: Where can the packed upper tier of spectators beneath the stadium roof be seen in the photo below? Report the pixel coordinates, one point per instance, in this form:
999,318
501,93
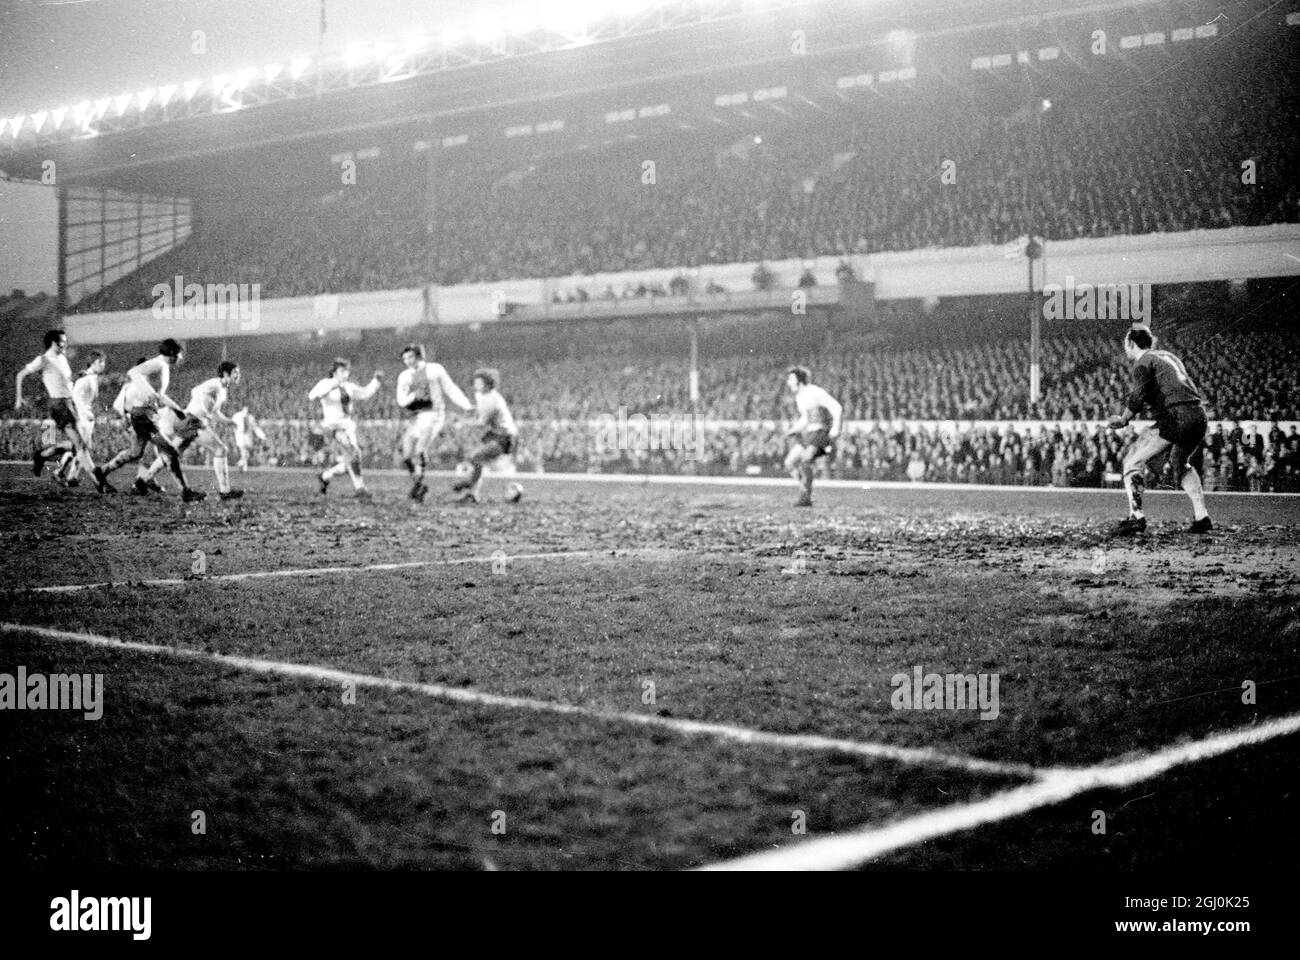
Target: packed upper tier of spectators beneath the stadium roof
860,181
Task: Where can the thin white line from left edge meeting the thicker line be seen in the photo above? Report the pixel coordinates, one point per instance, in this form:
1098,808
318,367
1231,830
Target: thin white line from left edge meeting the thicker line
722,732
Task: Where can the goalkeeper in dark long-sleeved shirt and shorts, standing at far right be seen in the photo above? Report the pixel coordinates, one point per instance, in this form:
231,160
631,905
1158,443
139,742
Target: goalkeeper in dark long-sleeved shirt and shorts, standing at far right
1162,383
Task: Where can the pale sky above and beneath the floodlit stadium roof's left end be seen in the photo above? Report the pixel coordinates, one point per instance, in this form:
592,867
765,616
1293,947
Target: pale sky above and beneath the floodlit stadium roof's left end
60,53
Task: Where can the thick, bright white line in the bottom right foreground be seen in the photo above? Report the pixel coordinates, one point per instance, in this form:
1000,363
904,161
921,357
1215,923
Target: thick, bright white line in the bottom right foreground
844,851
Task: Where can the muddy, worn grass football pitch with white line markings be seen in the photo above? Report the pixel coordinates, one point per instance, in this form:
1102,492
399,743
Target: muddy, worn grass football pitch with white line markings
651,676
